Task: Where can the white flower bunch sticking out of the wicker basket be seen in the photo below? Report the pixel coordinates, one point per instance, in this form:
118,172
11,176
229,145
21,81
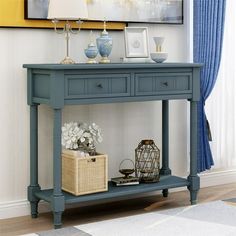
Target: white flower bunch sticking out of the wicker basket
78,136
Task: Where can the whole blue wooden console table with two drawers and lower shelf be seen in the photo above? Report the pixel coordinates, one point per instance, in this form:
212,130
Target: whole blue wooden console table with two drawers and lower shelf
59,85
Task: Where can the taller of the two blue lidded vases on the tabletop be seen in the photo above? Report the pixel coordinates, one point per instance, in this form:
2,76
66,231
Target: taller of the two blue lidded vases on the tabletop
104,45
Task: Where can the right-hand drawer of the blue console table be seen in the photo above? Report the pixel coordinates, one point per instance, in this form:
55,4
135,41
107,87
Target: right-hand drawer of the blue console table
163,83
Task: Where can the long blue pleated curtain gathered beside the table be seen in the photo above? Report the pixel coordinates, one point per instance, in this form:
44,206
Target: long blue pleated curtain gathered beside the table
208,31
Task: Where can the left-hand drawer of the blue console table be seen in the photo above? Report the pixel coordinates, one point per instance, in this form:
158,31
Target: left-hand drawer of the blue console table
109,85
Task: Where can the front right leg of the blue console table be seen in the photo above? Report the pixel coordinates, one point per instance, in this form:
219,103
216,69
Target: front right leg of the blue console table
193,178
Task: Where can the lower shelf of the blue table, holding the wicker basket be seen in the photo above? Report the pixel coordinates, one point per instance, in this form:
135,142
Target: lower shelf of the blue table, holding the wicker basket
166,182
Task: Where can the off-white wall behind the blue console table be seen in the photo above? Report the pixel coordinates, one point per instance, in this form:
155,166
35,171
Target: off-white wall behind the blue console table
123,124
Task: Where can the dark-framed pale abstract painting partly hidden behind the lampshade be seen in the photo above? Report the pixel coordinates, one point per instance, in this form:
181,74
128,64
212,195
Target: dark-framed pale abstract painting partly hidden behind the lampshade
149,11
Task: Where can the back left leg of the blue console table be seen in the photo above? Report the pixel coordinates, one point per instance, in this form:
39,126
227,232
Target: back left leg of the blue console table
34,186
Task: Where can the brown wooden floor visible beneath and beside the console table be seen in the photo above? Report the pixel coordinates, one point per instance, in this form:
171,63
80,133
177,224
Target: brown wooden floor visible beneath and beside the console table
87,214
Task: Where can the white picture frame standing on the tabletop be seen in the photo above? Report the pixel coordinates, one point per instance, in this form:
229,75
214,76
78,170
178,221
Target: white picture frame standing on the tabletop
136,42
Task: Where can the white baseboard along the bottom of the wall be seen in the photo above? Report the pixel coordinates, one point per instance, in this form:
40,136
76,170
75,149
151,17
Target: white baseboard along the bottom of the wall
22,207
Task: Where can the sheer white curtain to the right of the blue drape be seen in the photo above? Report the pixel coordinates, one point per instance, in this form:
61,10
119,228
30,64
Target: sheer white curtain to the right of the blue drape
221,104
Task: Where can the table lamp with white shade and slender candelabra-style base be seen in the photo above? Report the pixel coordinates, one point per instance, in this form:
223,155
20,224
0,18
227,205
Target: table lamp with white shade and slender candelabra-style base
68,10
